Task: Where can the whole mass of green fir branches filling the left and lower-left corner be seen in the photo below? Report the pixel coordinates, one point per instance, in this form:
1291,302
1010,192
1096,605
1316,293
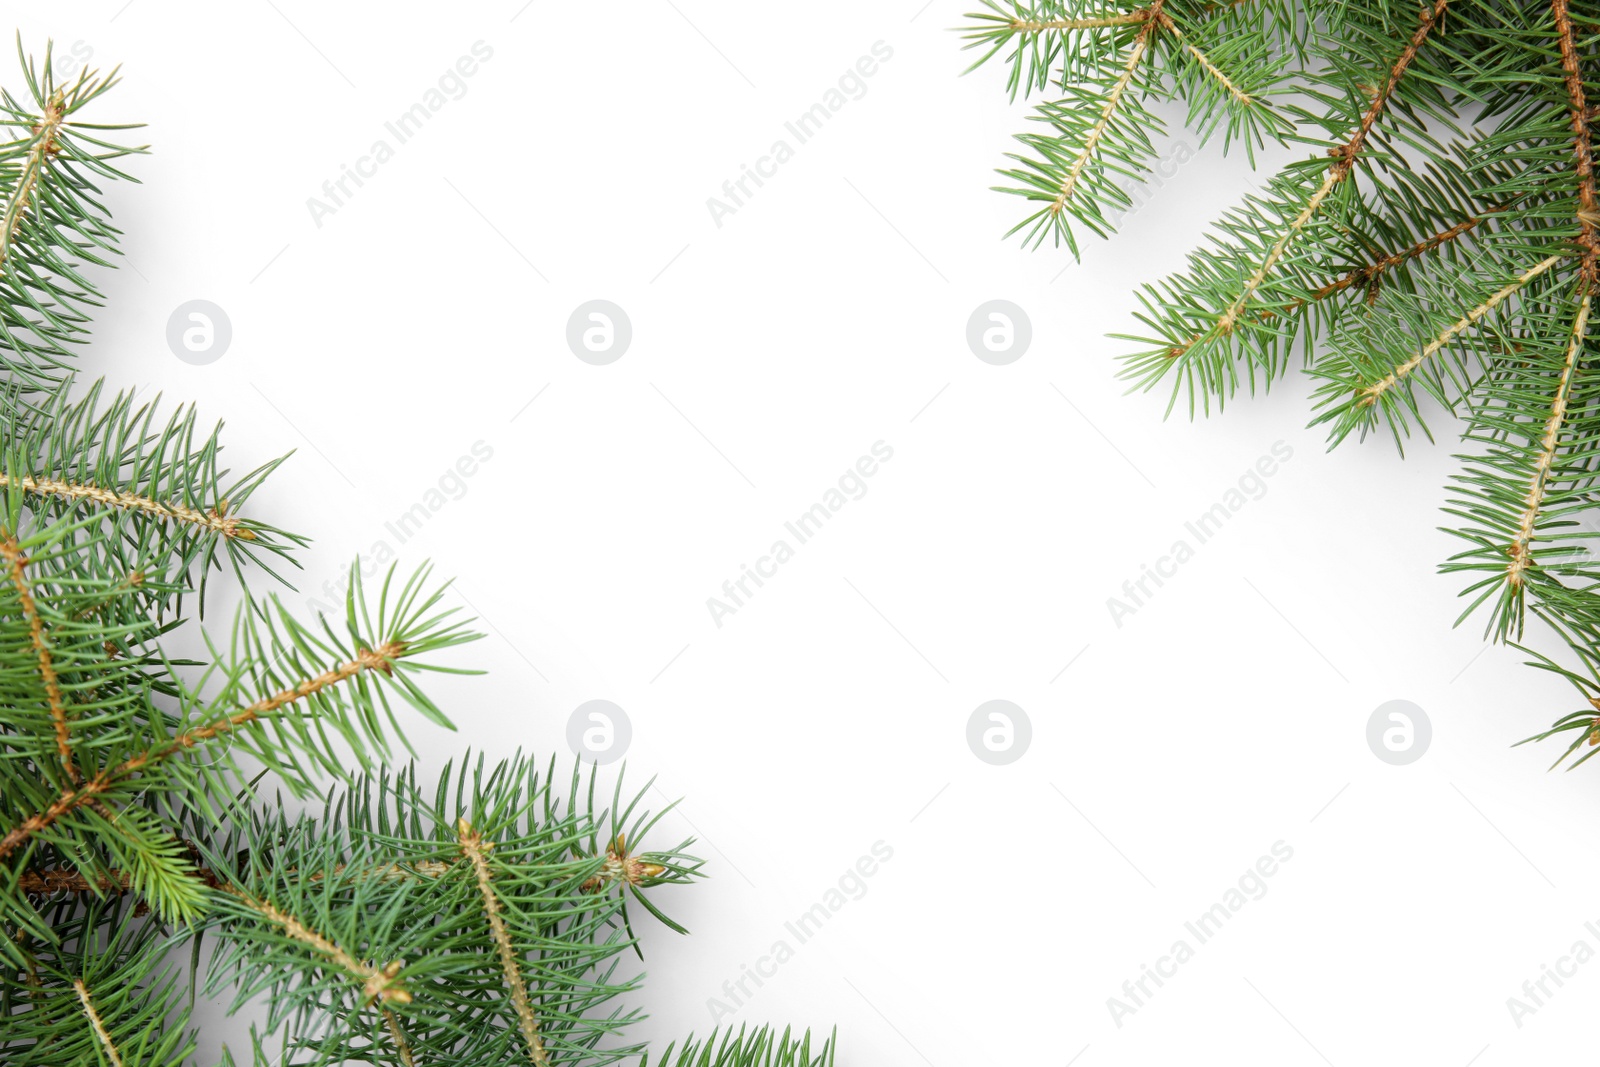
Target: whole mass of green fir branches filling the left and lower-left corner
246,823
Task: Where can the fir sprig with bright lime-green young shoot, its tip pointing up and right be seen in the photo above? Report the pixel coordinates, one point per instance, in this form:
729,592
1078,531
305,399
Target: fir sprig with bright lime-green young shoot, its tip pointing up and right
292,700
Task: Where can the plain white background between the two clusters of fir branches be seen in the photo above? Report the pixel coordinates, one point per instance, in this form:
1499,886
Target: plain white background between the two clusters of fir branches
830,713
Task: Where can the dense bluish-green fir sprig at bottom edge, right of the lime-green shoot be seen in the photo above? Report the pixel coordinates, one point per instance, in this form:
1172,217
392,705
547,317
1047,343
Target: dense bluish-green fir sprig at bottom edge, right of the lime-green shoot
465,924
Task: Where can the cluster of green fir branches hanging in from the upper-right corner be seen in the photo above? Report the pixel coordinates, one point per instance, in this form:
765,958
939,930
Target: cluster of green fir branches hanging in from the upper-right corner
1434,254
